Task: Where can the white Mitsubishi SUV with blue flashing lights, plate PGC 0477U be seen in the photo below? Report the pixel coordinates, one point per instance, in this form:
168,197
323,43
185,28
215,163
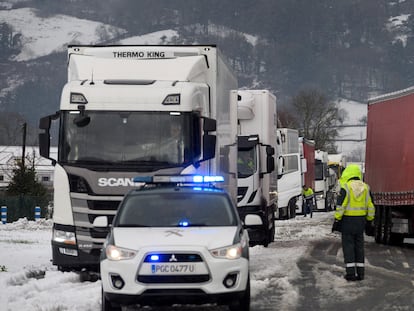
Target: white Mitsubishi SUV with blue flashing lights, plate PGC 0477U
174,243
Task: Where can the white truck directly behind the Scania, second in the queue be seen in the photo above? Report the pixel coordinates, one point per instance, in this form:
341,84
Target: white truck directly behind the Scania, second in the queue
257,164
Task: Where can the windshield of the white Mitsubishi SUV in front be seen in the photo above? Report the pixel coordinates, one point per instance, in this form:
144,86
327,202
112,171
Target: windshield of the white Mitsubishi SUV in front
176,210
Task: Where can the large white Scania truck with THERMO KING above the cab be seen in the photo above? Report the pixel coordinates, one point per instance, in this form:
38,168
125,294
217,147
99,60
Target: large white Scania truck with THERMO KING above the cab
127,111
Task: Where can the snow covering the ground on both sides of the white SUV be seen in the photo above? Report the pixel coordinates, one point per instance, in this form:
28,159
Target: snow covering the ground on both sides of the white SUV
29,281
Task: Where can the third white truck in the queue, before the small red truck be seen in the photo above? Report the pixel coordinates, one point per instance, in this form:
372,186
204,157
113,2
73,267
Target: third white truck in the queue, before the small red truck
289,183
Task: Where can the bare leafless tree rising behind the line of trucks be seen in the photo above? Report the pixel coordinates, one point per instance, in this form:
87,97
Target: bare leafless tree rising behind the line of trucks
317,118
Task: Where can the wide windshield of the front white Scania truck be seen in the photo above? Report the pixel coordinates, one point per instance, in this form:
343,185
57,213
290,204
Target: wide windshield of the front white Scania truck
128,138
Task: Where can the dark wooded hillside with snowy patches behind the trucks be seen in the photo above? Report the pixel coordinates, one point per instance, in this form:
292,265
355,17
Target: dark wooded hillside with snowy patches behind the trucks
347,49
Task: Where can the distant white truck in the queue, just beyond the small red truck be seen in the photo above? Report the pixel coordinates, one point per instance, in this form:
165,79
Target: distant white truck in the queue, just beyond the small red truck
325,182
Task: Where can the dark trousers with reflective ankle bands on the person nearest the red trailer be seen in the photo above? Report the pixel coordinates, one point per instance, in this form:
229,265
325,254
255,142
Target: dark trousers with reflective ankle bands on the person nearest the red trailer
353,245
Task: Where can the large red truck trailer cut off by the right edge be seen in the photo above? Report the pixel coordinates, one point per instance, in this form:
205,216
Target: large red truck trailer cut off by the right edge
389,165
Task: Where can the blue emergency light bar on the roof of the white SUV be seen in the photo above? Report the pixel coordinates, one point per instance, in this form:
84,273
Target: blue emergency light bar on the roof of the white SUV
184,179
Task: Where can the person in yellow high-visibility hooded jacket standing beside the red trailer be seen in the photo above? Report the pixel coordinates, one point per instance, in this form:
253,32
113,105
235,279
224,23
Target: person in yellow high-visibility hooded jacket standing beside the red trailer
355,212
